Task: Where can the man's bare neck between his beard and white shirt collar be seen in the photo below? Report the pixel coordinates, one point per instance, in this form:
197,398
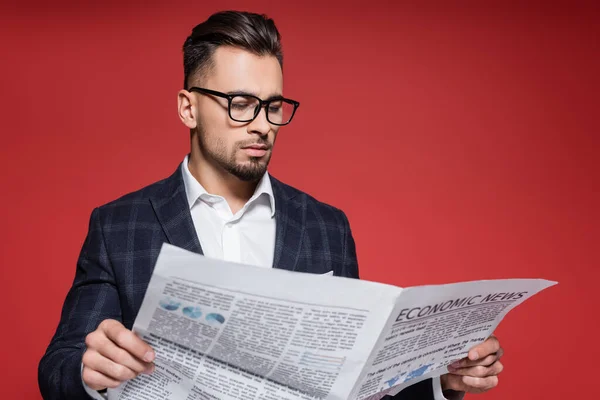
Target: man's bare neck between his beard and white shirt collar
219,182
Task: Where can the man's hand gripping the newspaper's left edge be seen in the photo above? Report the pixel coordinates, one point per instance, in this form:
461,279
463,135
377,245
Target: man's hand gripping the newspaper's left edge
114,354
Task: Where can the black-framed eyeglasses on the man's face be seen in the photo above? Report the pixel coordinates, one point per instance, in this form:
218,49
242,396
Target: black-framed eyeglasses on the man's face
246,107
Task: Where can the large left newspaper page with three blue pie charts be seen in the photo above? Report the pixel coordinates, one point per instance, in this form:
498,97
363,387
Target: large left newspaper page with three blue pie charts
225,331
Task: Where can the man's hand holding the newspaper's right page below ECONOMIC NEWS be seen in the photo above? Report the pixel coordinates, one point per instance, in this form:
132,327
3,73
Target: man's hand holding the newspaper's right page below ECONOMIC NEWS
478,372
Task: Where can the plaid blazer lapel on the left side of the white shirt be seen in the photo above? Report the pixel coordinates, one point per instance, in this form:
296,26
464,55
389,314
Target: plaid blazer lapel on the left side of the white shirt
173,213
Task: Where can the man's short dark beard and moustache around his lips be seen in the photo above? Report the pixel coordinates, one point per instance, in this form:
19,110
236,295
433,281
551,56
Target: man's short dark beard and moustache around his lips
252,170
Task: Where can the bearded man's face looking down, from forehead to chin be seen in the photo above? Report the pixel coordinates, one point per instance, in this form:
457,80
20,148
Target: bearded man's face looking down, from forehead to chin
242,149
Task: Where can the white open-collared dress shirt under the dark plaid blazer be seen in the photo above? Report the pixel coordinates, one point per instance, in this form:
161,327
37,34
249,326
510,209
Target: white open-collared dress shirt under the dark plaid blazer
247,237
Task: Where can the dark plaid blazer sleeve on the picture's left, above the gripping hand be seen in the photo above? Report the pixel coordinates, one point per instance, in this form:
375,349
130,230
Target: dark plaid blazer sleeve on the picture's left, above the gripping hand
92,298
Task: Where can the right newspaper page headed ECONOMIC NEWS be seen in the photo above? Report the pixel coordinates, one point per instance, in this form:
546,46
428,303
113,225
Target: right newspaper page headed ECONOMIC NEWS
433,326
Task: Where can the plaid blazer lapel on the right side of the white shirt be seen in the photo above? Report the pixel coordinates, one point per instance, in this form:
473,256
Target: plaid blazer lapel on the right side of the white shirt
290,217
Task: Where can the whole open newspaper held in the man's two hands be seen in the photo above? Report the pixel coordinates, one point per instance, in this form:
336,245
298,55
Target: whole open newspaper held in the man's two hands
228,331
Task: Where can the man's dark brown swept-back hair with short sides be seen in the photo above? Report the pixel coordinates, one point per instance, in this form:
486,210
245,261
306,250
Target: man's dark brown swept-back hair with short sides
255,33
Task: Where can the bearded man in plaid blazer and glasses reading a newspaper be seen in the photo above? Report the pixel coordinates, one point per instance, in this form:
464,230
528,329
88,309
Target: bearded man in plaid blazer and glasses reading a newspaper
220,202
